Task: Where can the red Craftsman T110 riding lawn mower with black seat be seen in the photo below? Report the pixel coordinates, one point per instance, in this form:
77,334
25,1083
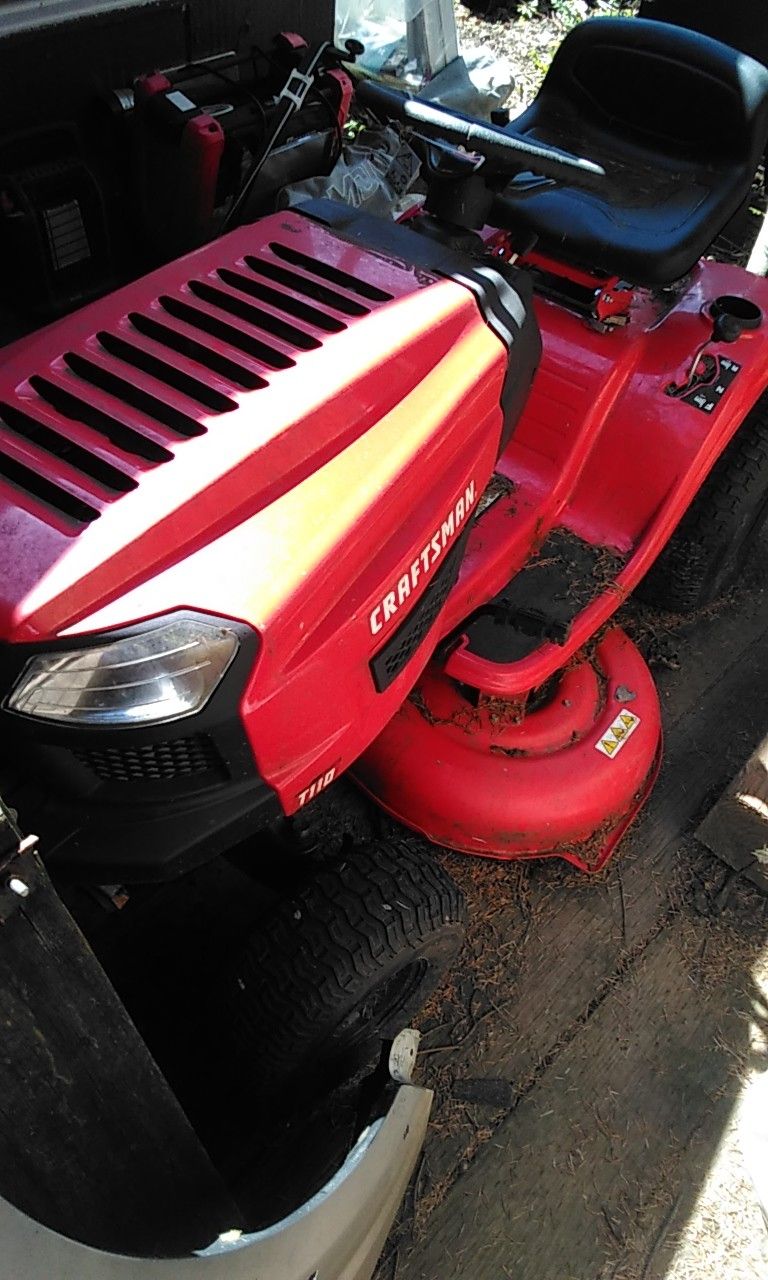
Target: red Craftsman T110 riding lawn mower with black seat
313,538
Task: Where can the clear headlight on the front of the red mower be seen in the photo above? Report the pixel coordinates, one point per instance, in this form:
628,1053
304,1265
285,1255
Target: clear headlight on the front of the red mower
161,675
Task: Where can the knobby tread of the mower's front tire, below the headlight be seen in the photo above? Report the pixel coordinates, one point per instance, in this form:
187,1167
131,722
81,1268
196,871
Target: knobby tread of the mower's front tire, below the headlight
319,949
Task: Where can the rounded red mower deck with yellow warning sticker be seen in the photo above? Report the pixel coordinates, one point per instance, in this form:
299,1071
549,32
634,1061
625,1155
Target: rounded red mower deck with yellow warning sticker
492,778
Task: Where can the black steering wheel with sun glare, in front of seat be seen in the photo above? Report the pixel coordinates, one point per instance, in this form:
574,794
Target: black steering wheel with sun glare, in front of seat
505,153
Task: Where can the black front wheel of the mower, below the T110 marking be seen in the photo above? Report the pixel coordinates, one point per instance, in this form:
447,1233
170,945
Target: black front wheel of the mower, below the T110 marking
345,964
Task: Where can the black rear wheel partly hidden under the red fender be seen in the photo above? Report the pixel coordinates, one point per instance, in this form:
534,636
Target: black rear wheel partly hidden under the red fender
711,545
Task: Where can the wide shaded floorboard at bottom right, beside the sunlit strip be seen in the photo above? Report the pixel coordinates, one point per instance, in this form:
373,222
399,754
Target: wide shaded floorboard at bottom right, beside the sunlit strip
584,1176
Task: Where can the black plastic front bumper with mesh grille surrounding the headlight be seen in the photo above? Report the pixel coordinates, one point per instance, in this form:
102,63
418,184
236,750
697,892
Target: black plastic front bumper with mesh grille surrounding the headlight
136,804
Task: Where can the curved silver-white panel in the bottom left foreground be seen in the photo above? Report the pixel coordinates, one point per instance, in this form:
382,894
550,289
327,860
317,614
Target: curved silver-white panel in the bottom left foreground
337,1236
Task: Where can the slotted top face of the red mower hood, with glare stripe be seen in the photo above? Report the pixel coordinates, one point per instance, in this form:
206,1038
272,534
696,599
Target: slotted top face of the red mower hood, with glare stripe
150,423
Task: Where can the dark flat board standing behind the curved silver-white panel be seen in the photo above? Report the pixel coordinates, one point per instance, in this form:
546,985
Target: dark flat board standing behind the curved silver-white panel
93,1142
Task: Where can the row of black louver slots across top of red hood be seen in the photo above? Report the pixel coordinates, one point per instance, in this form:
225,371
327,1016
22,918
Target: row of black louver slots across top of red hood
77,435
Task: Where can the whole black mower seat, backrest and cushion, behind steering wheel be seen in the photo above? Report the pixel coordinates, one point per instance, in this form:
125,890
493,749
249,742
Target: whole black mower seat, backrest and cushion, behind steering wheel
678,121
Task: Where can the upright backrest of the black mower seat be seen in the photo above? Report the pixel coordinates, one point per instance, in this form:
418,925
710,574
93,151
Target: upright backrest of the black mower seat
664,89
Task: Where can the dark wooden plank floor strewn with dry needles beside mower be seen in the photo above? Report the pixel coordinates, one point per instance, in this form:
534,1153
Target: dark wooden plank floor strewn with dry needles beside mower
593,1048
